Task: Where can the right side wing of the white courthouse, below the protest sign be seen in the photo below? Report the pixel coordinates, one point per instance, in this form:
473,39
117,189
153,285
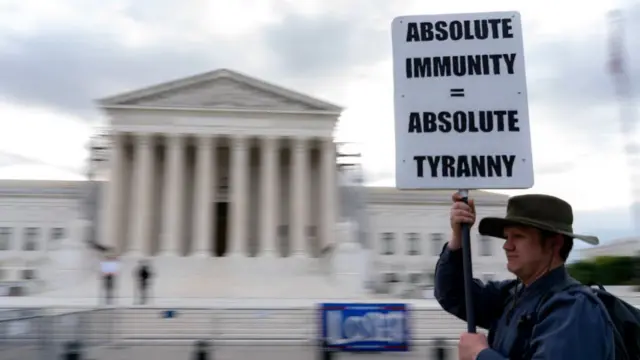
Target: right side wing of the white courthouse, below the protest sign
410,228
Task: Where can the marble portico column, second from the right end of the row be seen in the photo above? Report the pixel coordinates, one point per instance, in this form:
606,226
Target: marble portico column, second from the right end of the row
299,197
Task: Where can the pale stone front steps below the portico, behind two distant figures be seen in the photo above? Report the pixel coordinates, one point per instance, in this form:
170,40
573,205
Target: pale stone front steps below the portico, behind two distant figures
218,278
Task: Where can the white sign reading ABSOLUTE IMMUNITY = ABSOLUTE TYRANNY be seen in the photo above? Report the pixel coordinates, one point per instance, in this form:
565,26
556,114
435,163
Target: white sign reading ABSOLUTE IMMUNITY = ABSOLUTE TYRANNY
461,112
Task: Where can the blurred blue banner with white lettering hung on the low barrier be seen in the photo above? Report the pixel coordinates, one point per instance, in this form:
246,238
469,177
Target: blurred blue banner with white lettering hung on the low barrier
365,327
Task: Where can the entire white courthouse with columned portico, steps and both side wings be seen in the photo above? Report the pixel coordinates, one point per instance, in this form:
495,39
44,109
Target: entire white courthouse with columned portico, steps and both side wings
225,166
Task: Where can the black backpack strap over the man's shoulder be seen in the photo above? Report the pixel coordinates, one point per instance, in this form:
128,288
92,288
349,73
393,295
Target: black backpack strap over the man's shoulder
521,348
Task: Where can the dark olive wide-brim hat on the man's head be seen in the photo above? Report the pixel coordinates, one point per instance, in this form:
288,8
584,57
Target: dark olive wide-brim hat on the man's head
544,212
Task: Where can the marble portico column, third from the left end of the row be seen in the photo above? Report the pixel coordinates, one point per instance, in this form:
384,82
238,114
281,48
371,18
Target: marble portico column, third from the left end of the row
171,235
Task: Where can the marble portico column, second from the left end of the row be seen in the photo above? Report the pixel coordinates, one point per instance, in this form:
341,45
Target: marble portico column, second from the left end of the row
143,186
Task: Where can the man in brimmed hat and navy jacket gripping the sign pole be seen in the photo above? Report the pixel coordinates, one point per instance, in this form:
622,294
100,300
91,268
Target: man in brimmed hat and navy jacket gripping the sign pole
567,324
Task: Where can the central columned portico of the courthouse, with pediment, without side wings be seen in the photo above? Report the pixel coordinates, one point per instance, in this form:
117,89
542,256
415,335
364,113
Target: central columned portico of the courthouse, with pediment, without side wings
220,164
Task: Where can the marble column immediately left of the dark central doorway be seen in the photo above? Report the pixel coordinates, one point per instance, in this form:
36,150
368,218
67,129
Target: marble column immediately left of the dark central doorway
203,198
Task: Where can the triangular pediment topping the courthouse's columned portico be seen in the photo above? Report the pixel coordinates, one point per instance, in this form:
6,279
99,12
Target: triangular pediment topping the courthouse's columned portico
220,89
